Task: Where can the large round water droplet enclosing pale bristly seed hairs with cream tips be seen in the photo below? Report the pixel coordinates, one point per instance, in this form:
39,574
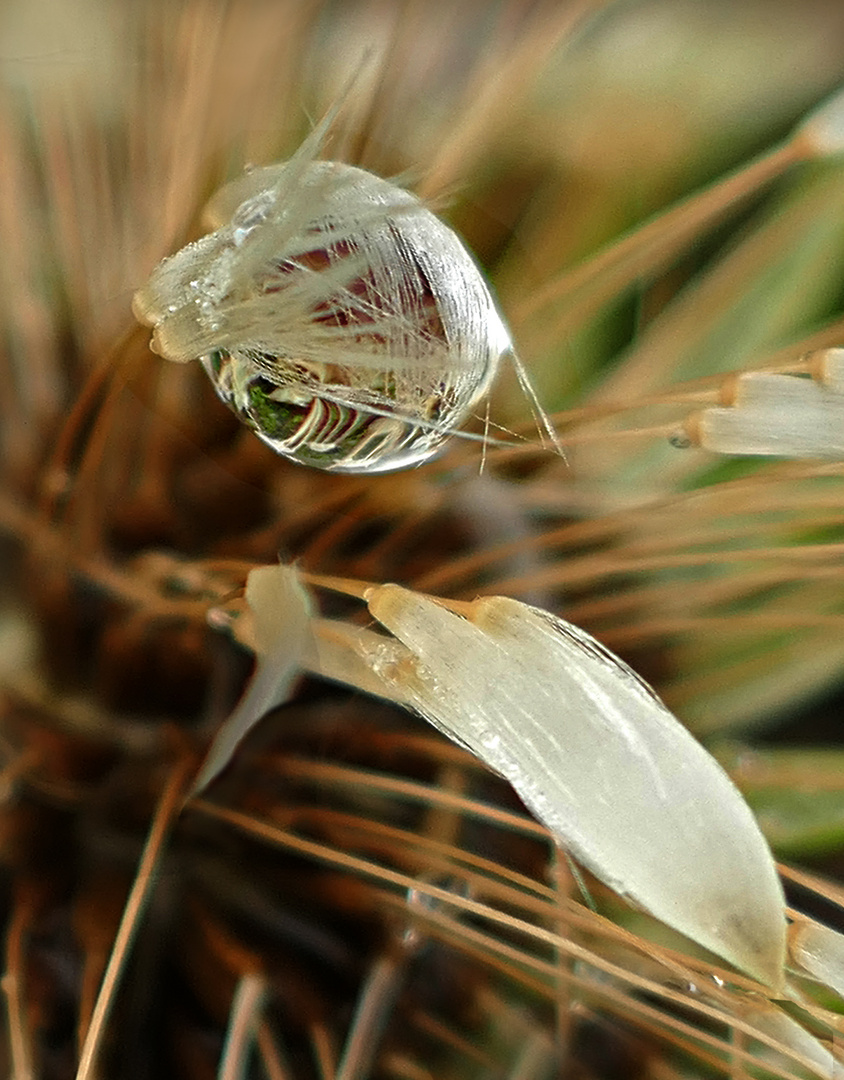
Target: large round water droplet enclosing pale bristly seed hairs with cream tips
338,317
